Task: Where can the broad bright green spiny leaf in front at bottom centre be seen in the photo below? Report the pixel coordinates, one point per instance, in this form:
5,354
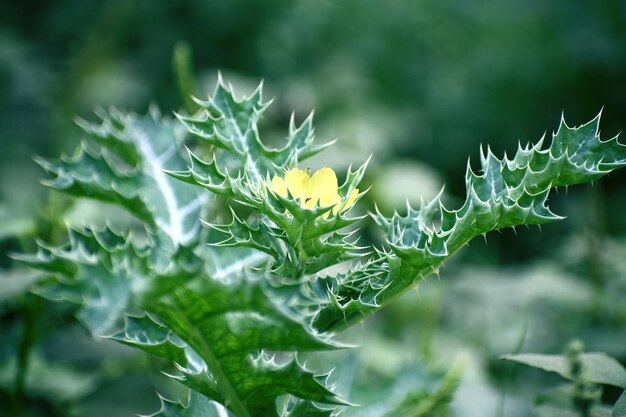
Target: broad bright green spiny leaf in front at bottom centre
233,327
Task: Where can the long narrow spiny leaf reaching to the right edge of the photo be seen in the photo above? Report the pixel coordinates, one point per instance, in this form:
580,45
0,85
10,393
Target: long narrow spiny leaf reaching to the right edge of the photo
508,192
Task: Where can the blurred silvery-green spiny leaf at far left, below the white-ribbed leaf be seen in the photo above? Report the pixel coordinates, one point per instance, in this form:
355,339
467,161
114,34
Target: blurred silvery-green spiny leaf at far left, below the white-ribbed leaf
100,269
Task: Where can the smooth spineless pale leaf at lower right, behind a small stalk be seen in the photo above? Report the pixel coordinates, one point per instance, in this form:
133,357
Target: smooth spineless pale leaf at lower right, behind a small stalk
597,368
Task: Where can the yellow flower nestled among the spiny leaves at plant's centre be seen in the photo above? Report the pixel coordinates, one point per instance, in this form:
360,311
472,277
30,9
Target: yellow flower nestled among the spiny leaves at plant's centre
319,189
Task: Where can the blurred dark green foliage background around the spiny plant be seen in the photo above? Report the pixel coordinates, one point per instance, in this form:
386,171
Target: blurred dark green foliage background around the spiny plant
417,84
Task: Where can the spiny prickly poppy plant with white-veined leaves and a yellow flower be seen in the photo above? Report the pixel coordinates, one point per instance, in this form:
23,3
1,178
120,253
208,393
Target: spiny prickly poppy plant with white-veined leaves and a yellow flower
236,306
